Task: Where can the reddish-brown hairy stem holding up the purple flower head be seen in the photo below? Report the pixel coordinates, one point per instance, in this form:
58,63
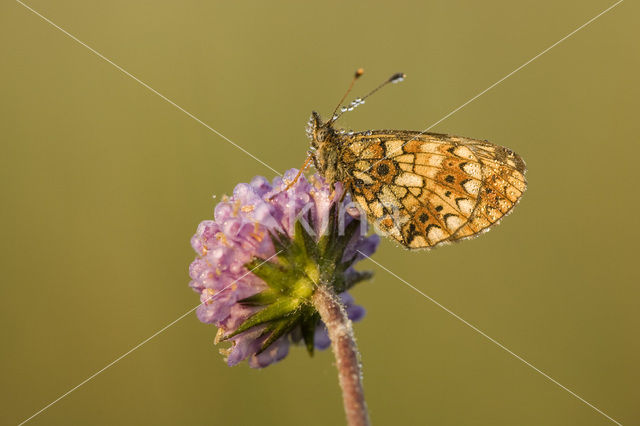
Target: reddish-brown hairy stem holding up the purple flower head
345,350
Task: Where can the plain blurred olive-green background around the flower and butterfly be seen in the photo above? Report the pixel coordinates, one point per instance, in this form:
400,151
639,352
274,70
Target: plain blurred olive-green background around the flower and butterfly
103,183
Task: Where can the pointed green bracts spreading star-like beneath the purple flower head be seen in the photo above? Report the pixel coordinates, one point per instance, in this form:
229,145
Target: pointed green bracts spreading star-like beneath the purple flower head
292,276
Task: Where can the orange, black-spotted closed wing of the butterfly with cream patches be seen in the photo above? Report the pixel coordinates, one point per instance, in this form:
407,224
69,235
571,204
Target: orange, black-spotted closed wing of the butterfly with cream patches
427,189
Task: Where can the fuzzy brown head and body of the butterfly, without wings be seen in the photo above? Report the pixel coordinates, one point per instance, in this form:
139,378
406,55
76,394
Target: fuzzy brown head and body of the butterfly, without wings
326,144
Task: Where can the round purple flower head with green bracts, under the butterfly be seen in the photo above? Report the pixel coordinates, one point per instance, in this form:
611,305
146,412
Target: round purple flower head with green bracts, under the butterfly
258,263
